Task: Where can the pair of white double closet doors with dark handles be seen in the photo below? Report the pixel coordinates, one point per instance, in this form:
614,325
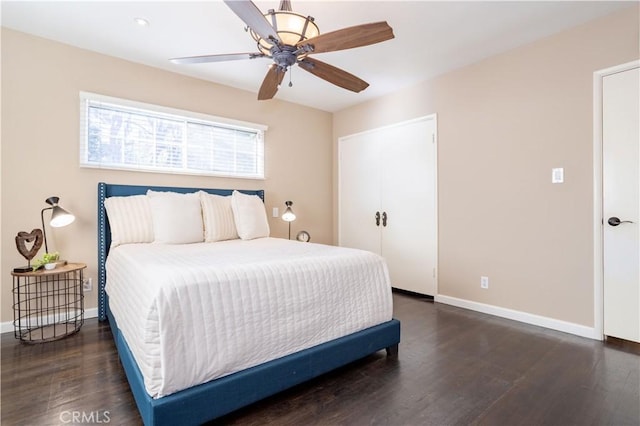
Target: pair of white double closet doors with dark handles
392,171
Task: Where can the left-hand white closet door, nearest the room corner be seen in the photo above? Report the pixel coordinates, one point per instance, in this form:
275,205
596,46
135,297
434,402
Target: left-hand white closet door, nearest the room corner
359,192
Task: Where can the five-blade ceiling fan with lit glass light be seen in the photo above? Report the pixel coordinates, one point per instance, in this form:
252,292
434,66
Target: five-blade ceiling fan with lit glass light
288,38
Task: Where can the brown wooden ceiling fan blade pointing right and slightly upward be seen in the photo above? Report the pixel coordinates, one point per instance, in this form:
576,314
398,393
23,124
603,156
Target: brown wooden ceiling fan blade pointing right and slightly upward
348,38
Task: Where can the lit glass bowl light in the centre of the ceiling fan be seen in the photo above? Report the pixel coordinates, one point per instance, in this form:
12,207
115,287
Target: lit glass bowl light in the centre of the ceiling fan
291,28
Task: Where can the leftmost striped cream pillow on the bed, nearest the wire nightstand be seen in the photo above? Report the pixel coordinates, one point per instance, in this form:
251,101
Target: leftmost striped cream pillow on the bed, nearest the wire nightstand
130,219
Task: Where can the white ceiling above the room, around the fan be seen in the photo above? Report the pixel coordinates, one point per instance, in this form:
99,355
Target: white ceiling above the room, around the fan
431,38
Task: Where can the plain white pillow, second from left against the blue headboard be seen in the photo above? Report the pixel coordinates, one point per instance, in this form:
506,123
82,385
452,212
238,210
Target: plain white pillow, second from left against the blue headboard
177,218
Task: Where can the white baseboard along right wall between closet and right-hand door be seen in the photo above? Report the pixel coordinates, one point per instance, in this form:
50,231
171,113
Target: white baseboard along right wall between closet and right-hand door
525,317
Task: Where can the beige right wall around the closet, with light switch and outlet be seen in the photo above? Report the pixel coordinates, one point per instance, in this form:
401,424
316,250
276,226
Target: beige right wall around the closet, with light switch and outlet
503,124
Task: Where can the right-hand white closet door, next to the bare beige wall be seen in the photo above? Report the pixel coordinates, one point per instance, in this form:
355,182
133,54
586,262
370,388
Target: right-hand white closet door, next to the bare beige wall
408,199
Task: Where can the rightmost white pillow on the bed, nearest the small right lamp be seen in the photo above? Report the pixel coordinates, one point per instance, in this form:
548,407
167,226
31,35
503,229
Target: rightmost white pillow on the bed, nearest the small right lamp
250,216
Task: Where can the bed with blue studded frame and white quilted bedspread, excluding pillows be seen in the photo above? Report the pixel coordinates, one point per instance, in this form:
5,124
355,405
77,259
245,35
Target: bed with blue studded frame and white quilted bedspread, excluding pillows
167,400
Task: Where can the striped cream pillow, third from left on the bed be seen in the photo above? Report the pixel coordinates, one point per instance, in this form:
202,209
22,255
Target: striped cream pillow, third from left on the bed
217,216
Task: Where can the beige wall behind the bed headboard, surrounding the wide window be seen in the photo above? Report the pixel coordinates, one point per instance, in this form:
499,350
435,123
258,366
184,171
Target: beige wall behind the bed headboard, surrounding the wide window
40,115
